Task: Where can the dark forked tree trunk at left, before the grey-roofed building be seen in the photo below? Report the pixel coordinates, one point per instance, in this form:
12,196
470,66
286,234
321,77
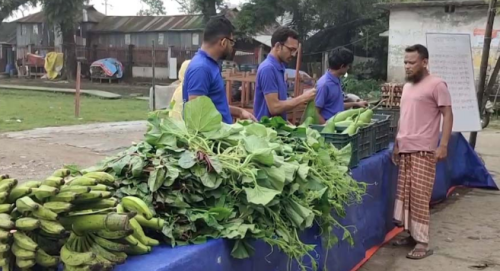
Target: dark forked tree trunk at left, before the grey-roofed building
63,15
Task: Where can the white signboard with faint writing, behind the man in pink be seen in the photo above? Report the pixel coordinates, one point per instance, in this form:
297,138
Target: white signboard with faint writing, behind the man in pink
450,58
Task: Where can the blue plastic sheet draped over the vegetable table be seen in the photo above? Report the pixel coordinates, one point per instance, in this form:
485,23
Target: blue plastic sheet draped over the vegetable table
371,221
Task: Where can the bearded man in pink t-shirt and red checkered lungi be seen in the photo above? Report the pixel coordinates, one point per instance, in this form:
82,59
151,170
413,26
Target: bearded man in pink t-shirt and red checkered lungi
424,102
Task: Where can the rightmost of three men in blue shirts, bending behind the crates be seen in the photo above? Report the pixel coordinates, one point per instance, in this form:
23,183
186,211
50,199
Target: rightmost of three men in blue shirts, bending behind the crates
330,97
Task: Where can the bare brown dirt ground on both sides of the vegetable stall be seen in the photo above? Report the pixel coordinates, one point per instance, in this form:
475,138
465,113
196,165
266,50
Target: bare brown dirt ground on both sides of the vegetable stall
465,231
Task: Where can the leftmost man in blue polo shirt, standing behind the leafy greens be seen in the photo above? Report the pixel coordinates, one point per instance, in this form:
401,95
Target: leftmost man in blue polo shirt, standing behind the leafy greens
203,75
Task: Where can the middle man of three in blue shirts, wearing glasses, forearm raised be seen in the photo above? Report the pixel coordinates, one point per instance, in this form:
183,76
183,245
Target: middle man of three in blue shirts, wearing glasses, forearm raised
271,95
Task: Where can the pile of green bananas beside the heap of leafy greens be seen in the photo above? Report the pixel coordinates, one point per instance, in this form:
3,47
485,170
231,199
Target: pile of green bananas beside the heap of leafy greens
75,221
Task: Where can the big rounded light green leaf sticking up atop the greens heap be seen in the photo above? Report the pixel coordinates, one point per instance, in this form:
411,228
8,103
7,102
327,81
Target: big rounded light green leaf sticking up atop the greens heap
201,115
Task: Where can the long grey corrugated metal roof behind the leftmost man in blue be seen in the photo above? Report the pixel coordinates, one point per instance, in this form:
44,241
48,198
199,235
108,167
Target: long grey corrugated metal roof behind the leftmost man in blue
130,24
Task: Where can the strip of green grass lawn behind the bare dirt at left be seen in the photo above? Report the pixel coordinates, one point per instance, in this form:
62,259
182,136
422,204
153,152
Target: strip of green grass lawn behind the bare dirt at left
24,110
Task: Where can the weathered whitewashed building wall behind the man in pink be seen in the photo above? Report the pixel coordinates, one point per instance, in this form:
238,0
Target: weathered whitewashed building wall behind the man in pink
408,27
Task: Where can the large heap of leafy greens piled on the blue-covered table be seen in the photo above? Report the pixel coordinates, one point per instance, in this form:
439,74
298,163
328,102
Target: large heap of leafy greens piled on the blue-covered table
245,181
